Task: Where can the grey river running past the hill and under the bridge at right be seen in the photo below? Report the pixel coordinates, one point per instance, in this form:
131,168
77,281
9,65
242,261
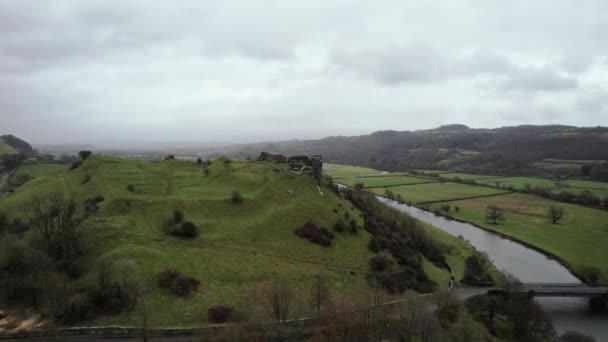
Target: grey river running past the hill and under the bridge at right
530,266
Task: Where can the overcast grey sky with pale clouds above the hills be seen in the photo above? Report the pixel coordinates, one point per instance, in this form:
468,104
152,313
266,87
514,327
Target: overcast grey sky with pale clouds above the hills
243,71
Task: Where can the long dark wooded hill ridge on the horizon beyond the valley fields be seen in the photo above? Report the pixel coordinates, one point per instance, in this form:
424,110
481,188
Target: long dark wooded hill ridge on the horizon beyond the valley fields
517,150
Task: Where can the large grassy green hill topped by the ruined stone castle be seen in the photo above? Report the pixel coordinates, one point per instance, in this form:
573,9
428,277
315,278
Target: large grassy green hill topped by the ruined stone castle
241,249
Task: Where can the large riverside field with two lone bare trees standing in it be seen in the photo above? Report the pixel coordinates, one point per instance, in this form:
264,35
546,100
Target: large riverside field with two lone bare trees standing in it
580,239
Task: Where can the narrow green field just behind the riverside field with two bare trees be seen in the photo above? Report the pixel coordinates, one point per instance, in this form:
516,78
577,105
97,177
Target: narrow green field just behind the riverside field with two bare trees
438,191
